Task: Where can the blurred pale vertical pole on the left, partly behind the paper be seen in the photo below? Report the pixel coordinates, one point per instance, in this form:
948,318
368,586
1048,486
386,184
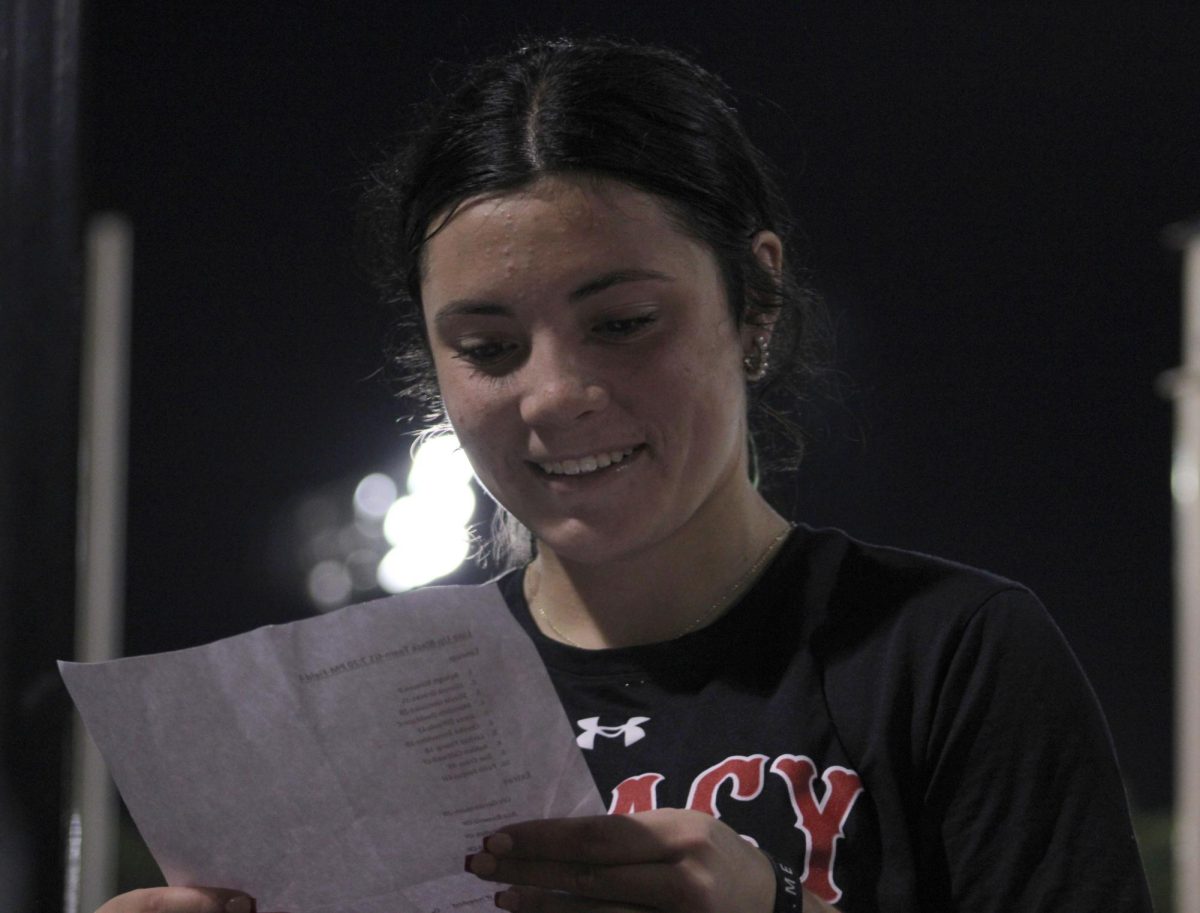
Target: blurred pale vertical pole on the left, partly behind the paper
92,861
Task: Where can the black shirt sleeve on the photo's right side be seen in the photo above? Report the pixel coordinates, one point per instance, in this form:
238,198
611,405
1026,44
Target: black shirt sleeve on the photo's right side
1024,808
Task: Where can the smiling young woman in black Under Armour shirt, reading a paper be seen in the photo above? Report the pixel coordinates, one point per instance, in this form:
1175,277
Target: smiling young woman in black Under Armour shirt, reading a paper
782,719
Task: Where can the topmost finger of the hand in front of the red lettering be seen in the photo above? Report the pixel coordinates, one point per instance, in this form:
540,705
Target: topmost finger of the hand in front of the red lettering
651,837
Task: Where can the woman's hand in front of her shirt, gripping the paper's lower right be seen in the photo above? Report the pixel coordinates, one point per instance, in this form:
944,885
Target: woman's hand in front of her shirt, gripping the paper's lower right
671,861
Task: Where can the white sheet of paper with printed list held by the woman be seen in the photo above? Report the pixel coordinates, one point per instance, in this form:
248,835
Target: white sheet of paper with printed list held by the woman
346,762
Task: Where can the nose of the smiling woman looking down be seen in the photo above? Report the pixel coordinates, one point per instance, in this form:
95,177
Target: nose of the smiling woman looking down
560,389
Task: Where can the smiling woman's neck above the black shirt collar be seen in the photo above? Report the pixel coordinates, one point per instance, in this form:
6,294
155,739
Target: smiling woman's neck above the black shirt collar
680,585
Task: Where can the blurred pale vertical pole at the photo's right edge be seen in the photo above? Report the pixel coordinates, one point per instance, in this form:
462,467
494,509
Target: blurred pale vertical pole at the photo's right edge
1186,491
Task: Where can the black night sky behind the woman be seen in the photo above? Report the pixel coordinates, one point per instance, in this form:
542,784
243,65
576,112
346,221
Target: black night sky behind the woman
982,189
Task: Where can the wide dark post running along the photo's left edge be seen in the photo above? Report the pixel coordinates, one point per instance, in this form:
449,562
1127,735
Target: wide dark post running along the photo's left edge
40,304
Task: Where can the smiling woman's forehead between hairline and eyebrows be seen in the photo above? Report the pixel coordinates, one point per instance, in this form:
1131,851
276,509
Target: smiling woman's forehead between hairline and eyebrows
557,227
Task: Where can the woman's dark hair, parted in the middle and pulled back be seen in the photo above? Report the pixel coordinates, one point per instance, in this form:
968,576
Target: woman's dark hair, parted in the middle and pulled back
643,116
